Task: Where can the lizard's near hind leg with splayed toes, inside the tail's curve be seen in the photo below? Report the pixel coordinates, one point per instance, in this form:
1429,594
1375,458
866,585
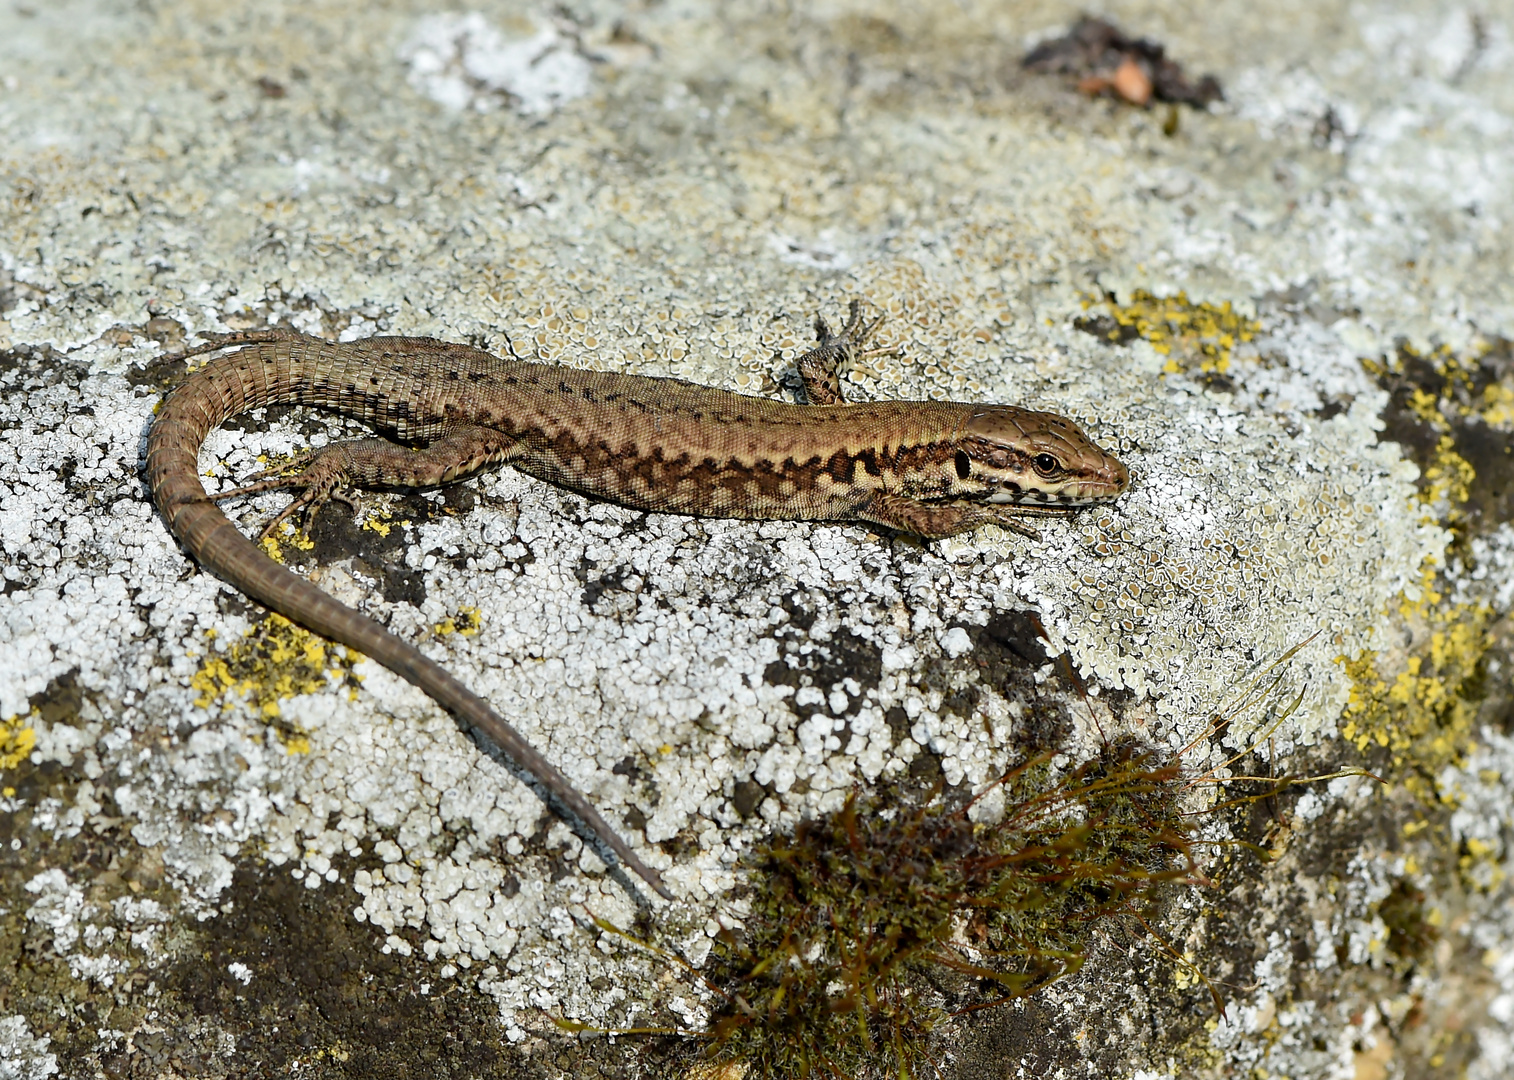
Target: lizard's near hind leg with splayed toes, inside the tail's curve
331,472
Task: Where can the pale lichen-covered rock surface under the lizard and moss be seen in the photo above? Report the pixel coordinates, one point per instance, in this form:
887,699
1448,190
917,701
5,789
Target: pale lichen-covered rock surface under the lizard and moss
234,851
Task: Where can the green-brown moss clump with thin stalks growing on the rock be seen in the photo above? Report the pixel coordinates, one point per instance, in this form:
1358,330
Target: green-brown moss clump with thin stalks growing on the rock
858,911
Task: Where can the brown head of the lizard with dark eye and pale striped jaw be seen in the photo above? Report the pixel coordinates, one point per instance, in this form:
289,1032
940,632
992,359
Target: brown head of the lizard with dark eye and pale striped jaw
1035,460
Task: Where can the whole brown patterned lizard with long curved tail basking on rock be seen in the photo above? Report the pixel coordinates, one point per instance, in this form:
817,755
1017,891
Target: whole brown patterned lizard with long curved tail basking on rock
446,411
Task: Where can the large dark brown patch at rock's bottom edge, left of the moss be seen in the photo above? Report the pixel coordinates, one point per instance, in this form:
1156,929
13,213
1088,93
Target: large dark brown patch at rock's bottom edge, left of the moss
319,979
